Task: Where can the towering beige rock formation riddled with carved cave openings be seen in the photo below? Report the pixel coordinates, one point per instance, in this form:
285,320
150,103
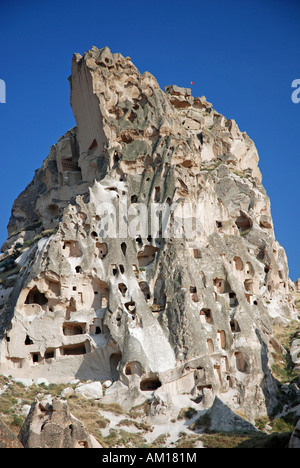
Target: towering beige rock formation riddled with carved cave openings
143,250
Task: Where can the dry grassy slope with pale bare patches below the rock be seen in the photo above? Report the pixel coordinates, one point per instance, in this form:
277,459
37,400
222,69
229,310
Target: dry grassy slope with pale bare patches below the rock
113,427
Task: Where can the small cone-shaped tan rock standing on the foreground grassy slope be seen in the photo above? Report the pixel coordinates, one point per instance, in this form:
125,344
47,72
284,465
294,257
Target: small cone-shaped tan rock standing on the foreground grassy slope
49,424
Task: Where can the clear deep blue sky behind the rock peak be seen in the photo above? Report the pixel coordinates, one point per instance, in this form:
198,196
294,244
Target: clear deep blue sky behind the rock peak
241,54
